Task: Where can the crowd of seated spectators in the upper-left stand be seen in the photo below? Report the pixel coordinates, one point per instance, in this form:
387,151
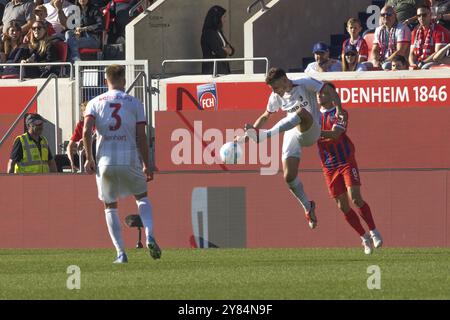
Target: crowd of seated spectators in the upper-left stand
79,24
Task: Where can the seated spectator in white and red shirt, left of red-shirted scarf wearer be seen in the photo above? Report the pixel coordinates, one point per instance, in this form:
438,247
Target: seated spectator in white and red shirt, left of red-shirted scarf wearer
391,38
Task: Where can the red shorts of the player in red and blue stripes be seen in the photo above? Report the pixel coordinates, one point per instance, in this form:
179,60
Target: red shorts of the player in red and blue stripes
338,180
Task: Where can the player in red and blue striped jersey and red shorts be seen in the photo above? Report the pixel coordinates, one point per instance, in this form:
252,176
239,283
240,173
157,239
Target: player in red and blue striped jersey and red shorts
337,154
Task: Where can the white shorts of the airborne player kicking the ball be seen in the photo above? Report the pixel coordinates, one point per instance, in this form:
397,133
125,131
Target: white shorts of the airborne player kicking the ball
294,140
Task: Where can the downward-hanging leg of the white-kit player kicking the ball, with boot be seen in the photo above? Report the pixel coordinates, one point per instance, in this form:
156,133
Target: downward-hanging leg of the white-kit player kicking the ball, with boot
290,170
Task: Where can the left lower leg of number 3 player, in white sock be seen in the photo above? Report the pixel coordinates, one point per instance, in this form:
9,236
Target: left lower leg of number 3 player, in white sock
115,232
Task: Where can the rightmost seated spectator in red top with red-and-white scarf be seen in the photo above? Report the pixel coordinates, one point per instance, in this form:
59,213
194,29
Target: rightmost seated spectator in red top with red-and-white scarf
427,38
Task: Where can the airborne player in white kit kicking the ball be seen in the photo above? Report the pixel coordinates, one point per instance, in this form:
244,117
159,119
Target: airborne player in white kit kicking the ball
302,126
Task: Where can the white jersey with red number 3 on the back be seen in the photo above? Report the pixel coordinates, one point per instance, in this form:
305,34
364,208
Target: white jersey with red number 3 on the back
116,115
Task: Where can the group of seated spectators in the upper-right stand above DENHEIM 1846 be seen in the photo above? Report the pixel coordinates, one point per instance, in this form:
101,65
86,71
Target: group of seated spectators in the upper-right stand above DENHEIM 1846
412,34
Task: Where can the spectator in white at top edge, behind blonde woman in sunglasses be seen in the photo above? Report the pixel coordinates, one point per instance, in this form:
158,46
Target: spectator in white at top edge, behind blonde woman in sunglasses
61,14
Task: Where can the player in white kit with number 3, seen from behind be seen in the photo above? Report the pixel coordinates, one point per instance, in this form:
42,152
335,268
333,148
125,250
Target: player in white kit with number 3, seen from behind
123,167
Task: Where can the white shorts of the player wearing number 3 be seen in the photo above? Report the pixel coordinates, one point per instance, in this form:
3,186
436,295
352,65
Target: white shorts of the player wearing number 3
114,182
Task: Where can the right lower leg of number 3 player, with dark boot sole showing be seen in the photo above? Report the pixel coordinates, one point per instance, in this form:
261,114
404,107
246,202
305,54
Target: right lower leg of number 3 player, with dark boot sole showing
146,213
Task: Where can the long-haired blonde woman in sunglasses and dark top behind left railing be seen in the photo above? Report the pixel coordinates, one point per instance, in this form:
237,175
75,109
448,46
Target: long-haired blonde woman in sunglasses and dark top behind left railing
42,49
